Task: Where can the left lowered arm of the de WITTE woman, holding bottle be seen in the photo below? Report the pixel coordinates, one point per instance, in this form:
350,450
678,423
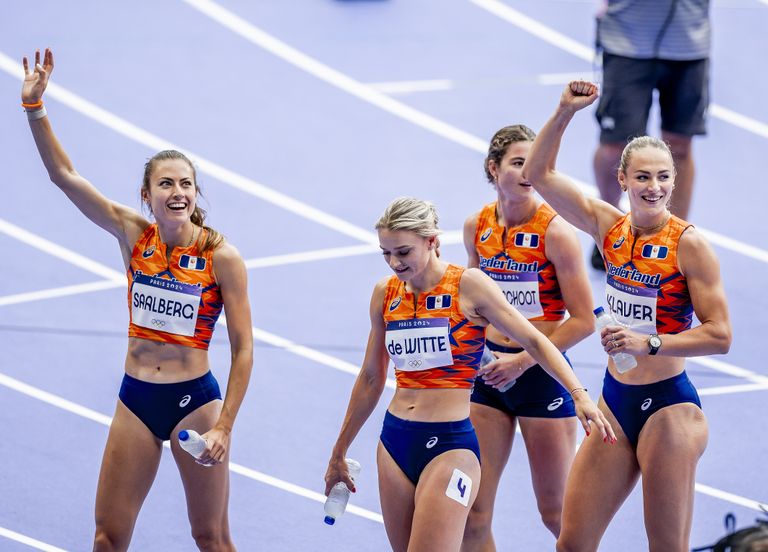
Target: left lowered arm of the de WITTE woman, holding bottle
365,394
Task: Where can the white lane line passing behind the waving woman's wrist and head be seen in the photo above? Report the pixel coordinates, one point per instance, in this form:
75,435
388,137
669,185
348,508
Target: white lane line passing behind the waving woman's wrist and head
242,183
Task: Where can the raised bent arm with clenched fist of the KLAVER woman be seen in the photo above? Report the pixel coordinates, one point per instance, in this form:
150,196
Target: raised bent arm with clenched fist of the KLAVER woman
593,216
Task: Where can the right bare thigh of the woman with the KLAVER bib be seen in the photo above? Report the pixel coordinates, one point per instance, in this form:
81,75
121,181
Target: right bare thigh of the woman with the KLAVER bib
670,445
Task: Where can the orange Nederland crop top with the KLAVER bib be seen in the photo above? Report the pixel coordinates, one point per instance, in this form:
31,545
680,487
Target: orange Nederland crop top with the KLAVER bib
645,289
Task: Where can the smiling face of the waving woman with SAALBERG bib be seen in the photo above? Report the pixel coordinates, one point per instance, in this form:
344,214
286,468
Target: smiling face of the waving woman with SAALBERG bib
171,192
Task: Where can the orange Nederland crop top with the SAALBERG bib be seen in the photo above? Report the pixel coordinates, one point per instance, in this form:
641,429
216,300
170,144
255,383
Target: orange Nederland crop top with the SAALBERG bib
176,301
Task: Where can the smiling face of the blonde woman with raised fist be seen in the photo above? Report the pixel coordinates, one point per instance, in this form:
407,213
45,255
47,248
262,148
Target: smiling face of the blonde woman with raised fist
648,179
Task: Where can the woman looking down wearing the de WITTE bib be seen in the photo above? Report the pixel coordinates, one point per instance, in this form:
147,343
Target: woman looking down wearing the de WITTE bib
429,318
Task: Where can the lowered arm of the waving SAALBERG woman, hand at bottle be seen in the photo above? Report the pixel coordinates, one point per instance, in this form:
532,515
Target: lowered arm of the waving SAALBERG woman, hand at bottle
233,281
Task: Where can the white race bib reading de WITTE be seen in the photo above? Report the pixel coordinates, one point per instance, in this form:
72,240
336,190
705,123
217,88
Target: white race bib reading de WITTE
419,344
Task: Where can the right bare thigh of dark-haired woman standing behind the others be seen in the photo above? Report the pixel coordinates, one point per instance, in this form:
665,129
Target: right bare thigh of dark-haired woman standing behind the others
551,446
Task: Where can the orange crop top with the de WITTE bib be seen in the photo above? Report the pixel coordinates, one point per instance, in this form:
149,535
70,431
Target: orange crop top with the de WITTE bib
431,343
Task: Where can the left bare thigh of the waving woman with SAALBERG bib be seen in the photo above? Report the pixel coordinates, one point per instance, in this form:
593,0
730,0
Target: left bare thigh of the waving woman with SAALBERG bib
128,468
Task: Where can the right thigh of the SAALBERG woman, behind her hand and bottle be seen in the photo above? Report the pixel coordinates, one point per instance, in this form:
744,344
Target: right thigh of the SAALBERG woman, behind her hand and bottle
206,488
